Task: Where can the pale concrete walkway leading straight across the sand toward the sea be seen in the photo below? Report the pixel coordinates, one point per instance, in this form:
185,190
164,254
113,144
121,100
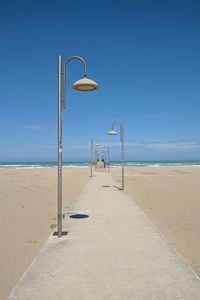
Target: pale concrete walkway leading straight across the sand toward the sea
115,253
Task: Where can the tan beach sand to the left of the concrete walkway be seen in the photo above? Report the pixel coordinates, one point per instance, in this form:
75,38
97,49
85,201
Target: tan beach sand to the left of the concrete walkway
28,206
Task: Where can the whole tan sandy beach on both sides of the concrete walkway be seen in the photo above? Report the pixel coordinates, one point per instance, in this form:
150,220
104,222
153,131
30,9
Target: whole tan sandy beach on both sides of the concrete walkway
169,196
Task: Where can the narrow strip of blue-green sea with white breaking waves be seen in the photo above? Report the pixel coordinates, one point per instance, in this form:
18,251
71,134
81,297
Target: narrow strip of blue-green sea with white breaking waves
86,164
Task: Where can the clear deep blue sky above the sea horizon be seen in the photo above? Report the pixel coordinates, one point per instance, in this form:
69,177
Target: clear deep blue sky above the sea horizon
145,56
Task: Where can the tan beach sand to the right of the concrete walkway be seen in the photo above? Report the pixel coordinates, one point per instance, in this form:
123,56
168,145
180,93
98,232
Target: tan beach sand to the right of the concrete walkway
170,197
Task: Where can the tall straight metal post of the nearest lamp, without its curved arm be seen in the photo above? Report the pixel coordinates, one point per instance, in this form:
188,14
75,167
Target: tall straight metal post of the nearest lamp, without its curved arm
59,146
